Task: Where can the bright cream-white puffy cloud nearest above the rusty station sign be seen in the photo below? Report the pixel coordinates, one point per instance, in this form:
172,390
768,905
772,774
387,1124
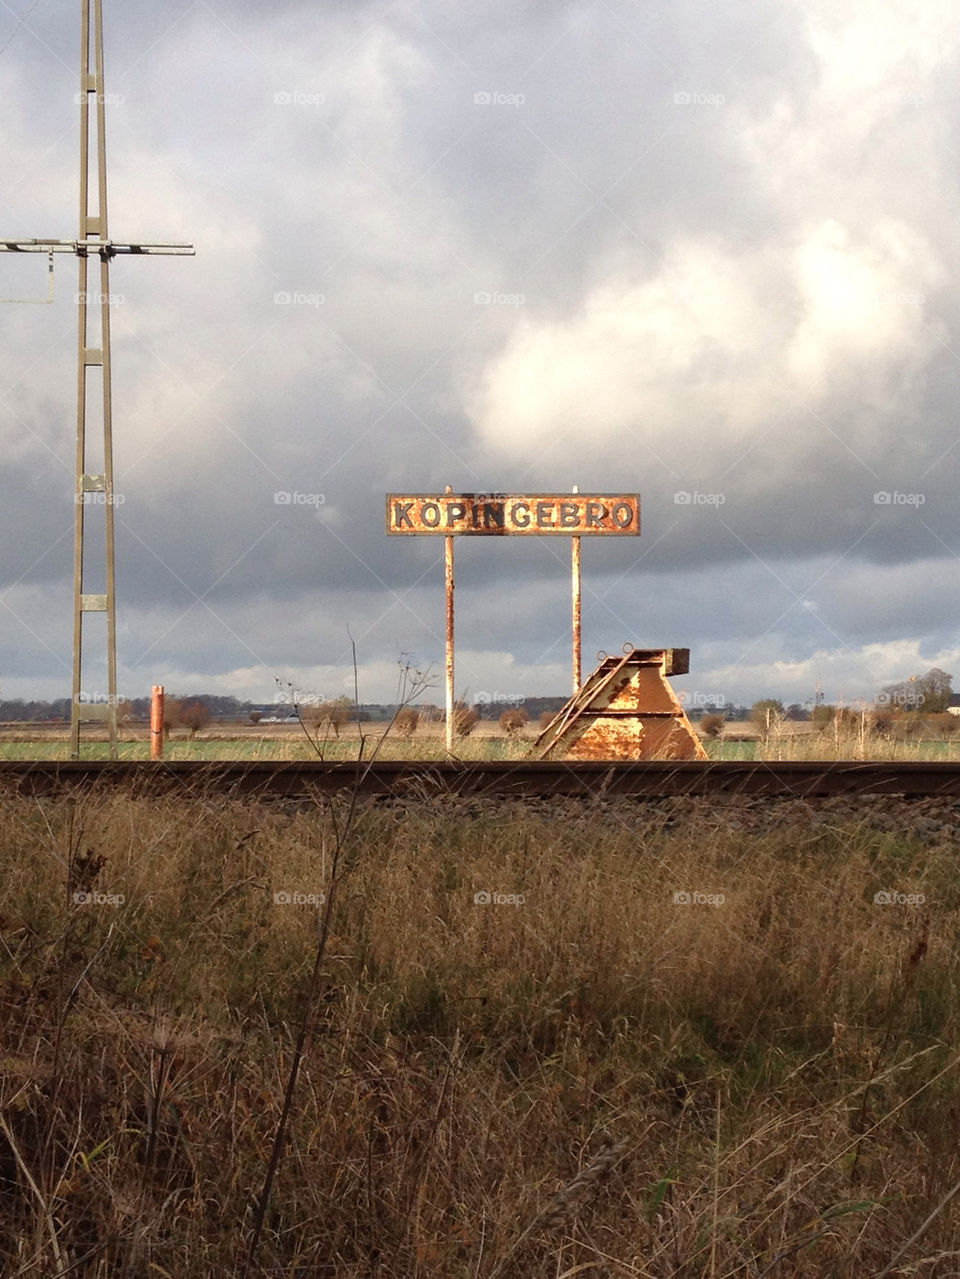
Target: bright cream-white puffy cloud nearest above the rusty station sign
719,341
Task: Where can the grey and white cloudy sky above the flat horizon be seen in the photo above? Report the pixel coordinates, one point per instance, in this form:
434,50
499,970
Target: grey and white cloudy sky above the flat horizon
706,253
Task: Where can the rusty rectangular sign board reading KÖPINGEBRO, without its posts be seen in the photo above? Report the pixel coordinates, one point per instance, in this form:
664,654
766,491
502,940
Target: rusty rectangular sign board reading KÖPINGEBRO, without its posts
499,515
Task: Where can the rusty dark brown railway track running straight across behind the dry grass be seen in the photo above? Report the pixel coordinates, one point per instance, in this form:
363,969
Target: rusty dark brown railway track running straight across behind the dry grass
504,780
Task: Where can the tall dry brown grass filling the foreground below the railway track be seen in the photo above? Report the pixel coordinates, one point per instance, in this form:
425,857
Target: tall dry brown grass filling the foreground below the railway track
596,1081
